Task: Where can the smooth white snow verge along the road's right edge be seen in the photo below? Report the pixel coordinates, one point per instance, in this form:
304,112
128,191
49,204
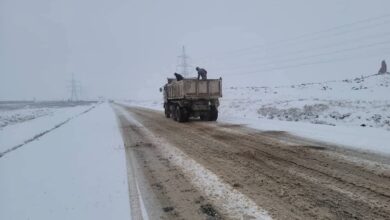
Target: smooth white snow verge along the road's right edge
366,139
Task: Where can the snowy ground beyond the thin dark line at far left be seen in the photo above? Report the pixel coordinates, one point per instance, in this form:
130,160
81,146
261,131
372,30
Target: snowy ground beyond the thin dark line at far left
16,134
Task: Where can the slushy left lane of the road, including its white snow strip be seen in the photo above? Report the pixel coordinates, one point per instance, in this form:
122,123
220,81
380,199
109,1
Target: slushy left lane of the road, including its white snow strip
141,142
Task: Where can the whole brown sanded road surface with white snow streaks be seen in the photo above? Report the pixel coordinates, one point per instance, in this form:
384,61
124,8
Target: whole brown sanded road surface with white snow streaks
199,170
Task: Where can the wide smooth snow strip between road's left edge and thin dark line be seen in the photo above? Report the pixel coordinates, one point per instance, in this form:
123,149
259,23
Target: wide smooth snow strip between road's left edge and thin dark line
77,171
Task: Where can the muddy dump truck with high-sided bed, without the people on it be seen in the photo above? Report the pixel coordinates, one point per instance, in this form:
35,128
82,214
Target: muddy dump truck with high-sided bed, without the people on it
191,97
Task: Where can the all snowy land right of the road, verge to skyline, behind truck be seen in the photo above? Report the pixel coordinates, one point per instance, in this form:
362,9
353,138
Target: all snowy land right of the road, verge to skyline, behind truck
352,112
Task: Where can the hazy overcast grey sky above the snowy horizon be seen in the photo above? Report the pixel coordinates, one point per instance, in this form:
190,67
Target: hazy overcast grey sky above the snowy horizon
126,49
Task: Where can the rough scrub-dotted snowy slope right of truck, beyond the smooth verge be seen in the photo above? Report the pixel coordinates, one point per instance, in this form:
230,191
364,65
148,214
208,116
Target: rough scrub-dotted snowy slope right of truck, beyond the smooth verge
363,101
